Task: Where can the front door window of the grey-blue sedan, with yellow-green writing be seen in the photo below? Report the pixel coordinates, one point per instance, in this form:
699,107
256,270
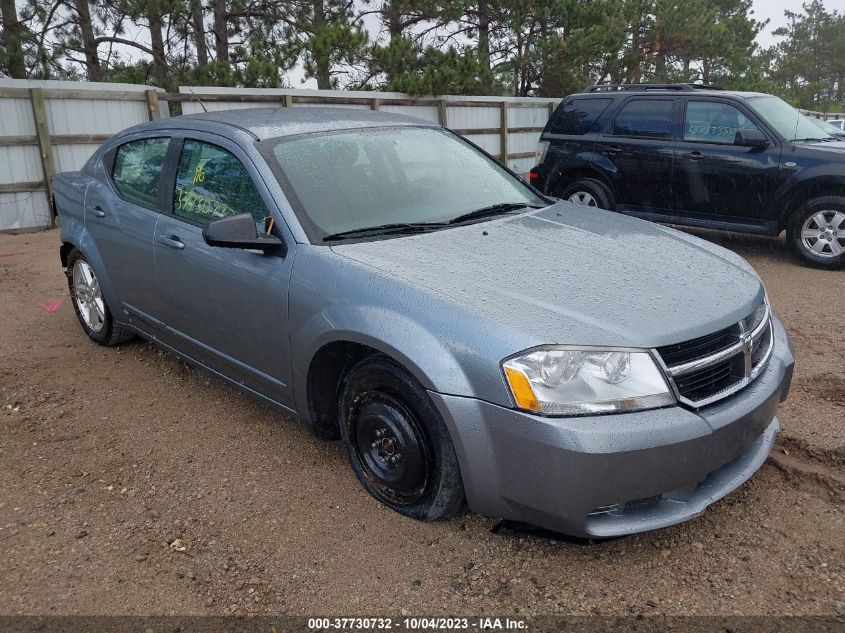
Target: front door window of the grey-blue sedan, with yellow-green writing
211,184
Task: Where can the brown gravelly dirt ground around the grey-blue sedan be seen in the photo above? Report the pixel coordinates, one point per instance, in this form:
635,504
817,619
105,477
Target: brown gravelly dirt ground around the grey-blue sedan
109,455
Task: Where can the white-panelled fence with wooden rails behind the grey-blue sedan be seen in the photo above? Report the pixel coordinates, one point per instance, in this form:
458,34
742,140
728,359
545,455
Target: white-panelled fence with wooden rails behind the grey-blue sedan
51,126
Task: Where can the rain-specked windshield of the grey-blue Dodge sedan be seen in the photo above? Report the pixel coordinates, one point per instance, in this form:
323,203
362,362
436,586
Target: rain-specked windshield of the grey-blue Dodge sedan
350,180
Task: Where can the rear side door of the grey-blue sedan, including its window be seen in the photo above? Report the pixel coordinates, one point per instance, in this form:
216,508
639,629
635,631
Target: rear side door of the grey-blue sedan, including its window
121,213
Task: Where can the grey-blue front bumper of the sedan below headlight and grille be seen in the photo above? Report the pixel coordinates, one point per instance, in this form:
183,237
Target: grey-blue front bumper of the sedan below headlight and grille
609,475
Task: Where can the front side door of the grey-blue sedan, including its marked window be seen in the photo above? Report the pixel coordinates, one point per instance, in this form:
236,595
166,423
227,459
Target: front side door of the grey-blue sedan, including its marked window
226,308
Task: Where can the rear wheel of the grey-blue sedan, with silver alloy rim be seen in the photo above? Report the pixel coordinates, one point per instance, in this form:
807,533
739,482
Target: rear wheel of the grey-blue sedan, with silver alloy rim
90,306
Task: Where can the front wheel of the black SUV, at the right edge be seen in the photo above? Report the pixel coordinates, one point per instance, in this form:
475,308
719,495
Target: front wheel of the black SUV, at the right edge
816,232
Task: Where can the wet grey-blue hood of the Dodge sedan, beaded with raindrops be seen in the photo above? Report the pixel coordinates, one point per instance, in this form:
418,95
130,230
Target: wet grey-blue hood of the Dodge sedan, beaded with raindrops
570,274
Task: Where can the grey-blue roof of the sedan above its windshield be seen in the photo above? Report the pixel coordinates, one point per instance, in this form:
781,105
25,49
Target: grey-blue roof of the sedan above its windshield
264,123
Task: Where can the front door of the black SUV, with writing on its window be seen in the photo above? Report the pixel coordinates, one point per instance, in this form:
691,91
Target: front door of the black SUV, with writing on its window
716,180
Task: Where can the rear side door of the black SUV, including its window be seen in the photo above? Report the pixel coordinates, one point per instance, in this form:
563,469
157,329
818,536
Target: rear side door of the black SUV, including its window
638,148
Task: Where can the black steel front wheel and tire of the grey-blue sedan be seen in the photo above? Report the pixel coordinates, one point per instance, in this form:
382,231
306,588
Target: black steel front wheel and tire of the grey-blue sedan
397,443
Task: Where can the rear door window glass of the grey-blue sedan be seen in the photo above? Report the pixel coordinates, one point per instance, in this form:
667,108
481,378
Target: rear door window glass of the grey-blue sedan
137,170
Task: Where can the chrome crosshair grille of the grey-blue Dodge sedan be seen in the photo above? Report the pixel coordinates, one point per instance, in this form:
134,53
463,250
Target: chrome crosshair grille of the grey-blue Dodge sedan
709,368
